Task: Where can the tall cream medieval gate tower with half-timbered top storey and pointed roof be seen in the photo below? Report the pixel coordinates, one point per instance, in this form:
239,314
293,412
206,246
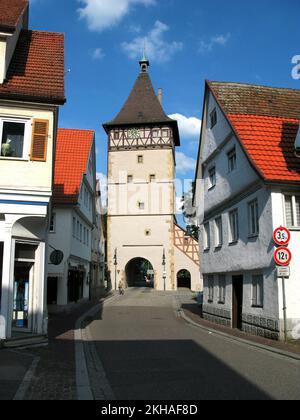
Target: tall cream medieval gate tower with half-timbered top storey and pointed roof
144,241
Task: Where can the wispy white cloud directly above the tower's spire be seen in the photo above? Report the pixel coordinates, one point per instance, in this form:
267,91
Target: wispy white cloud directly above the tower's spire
158,49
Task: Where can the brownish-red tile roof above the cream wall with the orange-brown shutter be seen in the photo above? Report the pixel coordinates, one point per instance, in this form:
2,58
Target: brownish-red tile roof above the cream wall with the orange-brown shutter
36,72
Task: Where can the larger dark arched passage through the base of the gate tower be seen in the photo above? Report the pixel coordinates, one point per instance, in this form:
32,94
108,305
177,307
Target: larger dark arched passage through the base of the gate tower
139,273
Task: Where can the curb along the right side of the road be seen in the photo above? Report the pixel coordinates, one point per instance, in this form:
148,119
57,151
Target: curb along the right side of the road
269,349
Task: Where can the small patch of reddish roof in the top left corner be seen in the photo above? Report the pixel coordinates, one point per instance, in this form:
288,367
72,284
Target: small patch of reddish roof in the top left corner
10,13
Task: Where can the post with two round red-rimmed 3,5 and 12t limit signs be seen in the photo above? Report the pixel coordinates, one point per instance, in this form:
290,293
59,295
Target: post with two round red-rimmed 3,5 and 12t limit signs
283,258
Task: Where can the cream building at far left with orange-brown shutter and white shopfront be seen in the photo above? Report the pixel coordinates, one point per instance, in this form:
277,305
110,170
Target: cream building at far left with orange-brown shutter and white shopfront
31,91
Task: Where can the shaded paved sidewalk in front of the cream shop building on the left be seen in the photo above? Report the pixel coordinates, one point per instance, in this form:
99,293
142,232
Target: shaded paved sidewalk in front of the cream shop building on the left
54,378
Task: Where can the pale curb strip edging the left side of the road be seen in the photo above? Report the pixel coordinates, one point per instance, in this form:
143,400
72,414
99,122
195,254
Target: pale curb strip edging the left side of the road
84,390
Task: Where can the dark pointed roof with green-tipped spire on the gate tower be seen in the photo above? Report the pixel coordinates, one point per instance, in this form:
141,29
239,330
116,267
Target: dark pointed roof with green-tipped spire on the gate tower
143,107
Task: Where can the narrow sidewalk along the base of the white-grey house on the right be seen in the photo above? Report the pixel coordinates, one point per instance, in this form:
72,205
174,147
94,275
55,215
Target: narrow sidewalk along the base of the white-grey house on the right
193,312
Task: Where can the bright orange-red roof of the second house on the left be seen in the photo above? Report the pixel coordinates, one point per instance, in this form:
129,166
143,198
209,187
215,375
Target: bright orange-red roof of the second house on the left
73,149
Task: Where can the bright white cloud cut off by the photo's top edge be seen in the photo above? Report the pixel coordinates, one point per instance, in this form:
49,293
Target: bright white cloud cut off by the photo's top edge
104,14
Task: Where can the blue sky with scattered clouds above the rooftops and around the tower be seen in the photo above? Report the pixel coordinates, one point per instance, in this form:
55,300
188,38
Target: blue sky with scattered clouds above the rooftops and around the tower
187,42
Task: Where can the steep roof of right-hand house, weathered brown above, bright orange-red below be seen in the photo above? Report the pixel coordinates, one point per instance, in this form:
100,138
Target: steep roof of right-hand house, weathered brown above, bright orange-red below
266,121
